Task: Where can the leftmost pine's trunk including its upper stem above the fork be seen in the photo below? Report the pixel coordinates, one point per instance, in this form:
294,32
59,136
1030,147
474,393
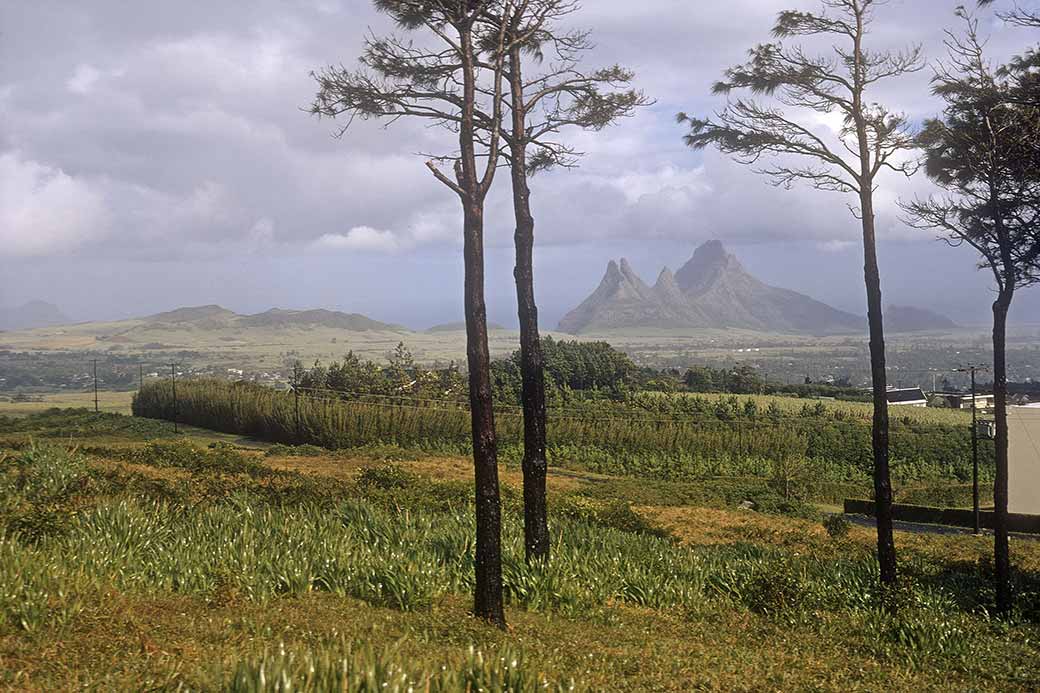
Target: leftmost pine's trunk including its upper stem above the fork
488,592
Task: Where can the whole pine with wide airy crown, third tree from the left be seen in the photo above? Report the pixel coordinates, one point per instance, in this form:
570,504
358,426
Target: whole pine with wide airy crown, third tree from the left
870,142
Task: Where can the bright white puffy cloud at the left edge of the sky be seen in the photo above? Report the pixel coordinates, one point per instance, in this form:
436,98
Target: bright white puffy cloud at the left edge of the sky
44,211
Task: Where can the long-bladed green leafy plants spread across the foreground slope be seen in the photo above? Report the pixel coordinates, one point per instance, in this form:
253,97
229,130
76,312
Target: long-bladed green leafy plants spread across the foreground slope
409,548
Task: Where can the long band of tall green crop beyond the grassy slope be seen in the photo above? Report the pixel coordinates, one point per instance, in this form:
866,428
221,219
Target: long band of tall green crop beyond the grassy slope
814,449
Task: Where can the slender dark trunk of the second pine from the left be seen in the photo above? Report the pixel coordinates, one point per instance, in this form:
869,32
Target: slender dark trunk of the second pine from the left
532,361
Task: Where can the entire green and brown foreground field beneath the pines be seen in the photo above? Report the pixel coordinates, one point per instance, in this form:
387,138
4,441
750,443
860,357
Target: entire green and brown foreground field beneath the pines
136,559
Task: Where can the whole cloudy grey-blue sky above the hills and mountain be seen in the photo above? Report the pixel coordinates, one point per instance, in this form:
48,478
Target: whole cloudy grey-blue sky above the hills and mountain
155,156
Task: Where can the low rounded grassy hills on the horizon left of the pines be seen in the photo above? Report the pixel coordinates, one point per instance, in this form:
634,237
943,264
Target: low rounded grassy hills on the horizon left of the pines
218,318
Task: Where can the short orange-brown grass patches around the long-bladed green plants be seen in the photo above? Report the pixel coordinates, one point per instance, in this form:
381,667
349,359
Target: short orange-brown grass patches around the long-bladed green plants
128,638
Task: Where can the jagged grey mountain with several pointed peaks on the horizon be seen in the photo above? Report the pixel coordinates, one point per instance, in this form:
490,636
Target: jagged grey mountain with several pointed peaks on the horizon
712,291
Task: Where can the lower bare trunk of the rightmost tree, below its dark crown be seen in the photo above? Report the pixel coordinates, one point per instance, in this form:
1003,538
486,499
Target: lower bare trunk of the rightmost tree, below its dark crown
1002,557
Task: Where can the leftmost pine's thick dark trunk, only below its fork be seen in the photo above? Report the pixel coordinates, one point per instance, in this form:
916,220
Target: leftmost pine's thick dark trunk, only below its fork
488,595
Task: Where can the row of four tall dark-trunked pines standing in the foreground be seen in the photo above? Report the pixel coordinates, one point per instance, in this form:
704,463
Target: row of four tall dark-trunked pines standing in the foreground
506,79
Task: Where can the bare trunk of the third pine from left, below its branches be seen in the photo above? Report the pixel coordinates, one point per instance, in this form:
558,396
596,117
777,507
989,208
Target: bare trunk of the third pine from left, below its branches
879,377
